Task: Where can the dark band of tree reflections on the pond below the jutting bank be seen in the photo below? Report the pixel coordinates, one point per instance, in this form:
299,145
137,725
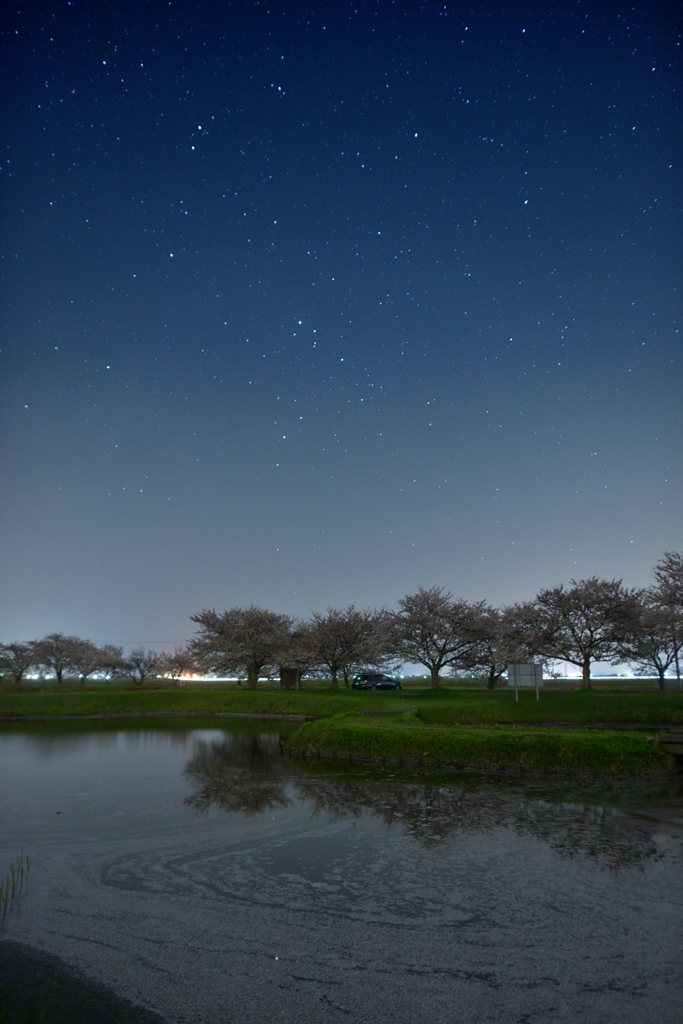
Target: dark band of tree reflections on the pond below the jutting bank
249,775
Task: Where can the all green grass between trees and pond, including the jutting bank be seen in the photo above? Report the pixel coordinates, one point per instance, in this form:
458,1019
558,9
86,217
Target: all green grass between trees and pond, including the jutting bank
472,729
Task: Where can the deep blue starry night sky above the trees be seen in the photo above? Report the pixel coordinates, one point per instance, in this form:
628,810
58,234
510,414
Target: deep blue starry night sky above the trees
314,304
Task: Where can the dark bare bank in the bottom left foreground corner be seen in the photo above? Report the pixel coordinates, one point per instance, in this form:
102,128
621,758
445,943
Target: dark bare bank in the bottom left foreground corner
34,984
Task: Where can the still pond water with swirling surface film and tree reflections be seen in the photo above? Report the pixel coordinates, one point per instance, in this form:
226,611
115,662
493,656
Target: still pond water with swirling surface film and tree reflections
204,874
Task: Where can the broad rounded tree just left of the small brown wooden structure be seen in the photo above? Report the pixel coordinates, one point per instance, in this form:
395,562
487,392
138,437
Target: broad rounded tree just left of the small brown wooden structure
240,639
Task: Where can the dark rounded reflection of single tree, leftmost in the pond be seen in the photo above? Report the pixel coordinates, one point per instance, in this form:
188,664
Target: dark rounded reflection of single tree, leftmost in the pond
238,774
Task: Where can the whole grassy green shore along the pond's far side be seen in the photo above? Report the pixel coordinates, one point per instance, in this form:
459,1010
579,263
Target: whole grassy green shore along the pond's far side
624,738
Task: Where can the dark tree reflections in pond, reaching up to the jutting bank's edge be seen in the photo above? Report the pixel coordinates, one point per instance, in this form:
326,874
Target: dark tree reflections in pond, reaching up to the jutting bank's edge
249,775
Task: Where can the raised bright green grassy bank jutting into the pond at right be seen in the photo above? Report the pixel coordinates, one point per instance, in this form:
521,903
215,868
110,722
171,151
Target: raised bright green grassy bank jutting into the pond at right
408,740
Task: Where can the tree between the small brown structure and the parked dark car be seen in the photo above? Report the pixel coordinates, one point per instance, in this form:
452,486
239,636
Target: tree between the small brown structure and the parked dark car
344,639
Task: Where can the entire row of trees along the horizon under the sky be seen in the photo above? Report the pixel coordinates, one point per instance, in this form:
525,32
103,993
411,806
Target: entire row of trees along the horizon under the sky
584,622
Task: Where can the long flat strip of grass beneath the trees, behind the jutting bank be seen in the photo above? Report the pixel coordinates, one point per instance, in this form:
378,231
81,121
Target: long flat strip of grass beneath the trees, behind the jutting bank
435,708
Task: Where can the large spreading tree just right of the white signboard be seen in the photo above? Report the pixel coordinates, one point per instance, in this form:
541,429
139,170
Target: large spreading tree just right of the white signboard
590,621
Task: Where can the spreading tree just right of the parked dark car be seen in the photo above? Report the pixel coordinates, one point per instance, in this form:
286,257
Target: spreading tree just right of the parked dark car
434,629
